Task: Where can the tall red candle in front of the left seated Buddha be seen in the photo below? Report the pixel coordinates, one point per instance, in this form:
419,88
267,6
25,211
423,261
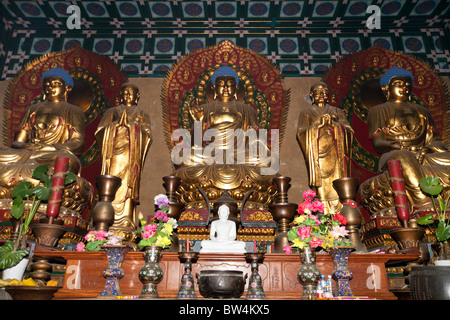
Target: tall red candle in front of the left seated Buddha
59,176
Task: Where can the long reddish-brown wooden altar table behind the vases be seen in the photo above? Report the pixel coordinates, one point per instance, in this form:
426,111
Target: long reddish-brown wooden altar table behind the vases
83,278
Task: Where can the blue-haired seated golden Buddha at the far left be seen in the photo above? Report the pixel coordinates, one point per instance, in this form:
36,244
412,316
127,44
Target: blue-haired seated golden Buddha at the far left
48,129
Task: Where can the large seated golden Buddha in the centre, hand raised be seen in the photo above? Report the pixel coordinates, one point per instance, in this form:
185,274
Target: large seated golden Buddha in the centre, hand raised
228,149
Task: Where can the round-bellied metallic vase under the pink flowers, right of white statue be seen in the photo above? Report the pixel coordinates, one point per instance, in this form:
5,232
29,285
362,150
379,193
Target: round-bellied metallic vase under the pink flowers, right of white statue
308,274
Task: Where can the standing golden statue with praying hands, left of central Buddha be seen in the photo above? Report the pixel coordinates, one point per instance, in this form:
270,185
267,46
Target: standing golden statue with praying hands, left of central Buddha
124,137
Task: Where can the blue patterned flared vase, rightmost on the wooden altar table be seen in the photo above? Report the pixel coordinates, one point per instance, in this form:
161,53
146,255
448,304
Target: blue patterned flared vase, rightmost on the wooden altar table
341,274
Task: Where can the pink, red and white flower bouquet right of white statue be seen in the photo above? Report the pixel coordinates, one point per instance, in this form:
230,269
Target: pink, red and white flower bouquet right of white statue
315,228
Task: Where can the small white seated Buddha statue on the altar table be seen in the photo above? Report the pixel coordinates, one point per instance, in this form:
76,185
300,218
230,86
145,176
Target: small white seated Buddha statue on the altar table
223,235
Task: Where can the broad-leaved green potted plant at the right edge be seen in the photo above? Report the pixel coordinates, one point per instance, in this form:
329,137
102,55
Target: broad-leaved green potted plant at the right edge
432,187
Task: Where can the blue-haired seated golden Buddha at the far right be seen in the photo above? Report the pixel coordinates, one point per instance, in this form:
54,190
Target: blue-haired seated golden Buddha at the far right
402,130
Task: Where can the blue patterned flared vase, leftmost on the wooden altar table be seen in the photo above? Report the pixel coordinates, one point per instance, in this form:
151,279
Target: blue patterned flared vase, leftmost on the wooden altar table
114,272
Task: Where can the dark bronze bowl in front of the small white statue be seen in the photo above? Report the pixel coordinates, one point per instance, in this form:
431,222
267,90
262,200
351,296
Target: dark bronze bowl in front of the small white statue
221,284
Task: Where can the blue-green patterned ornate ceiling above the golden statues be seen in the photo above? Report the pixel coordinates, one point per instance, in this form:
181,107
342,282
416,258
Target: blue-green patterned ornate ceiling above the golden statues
146,37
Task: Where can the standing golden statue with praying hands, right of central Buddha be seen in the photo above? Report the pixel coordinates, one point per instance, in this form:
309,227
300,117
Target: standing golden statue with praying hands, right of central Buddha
326,139
